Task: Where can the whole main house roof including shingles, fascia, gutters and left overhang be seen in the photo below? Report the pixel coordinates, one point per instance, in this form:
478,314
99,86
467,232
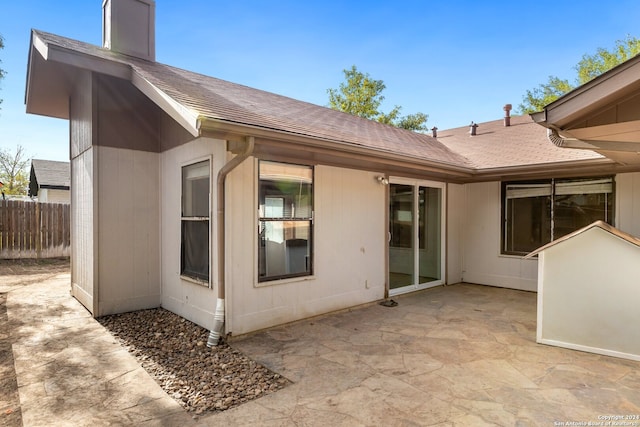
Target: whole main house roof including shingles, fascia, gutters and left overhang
204,104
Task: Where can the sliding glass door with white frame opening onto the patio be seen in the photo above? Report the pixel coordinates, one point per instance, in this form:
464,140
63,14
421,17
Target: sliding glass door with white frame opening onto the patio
416,235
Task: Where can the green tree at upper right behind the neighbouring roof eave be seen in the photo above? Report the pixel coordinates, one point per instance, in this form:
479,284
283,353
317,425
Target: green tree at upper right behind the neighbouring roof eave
589,67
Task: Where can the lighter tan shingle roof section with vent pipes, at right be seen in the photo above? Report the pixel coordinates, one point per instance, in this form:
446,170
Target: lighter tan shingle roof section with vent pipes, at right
496,146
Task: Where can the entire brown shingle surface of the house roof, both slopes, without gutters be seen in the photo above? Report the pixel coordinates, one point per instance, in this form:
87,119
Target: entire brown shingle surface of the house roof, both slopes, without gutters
494,146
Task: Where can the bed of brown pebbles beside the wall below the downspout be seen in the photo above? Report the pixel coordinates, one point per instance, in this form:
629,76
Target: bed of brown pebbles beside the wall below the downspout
174,352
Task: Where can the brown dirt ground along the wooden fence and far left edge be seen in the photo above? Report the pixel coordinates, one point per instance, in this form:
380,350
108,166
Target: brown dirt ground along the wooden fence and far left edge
14,274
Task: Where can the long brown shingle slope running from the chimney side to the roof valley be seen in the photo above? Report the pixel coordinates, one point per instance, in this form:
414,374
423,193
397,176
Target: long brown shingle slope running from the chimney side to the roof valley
222,100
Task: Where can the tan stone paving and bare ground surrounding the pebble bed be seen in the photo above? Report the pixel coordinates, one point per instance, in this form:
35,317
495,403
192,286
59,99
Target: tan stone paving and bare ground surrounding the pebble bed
457,355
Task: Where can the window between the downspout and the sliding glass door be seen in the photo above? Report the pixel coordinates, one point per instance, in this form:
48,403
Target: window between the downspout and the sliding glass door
285,199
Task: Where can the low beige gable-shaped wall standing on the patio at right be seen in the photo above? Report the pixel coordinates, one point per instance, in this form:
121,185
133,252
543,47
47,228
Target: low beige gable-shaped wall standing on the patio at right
588,295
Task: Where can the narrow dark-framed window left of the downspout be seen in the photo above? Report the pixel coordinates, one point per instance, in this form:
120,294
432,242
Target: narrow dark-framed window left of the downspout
194,253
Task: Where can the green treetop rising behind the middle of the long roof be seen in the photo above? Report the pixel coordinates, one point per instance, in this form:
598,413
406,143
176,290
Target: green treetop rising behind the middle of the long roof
361,96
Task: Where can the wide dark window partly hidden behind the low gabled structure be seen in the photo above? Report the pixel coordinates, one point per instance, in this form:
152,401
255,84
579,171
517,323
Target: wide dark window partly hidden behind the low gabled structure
537,212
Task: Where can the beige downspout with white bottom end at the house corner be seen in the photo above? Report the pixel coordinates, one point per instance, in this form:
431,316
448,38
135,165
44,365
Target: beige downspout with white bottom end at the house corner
218,319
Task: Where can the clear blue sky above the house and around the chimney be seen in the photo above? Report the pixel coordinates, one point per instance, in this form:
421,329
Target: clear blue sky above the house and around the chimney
457,61
